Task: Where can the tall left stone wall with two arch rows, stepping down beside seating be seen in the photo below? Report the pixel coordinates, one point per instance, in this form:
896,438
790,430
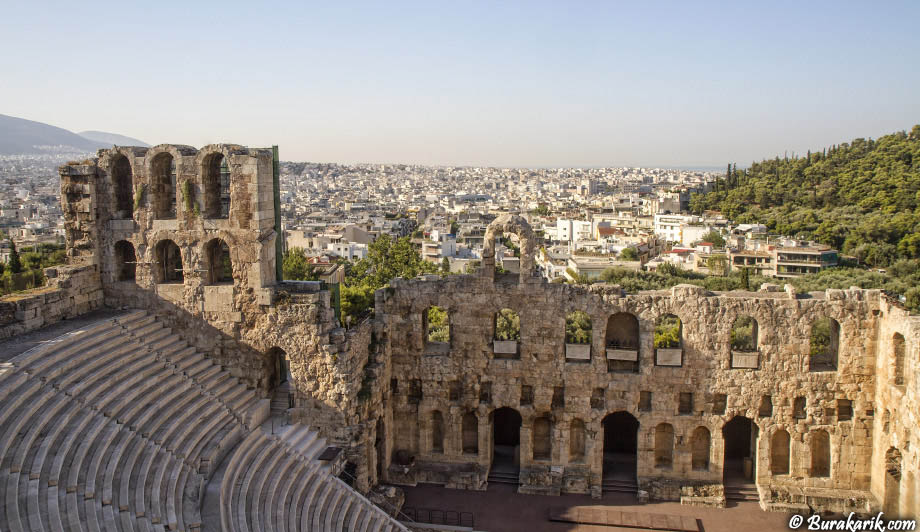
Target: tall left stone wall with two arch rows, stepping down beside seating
238,323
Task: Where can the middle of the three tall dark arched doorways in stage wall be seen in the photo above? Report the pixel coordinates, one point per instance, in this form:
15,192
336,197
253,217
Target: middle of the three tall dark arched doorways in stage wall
621,445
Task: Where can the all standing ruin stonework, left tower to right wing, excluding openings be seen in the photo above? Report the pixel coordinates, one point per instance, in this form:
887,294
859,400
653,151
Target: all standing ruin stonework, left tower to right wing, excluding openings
342,379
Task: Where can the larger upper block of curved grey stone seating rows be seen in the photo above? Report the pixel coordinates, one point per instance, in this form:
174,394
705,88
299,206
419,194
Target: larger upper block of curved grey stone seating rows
117,426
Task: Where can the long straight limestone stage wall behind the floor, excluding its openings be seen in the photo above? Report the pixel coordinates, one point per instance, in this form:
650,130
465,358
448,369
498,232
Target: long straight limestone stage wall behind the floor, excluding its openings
590,392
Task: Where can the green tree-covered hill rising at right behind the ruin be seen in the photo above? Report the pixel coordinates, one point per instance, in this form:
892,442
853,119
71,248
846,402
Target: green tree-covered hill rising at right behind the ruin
862,197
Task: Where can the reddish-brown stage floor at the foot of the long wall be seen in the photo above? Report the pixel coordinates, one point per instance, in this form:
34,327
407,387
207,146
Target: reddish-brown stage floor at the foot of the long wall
502,509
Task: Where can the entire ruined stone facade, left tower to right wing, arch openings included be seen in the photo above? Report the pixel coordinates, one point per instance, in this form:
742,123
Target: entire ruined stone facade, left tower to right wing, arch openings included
191,235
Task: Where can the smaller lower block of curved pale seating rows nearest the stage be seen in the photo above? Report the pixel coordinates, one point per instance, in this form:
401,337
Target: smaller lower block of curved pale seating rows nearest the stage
276,484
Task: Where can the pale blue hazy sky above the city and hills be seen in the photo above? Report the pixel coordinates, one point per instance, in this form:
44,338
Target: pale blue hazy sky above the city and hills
563,83
